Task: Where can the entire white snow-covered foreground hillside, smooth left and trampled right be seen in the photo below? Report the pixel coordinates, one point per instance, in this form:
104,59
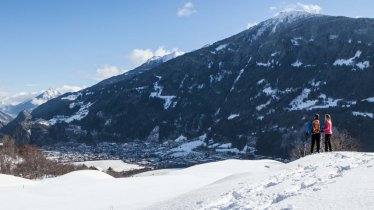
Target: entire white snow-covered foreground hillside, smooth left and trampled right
325,181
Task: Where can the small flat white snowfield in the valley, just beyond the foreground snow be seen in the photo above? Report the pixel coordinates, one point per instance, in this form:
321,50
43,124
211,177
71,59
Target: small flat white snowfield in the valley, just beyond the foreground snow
116,165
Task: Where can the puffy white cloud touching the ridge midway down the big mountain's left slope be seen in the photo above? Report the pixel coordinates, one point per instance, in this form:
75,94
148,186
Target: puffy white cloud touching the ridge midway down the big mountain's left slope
140,56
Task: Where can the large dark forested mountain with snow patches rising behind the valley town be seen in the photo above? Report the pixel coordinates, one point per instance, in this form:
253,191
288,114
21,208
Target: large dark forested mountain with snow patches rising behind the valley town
250,93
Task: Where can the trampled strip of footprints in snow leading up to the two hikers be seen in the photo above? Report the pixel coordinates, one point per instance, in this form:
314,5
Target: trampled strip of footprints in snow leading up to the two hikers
273,192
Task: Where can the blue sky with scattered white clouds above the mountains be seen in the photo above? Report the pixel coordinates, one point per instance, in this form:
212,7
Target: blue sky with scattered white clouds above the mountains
46,43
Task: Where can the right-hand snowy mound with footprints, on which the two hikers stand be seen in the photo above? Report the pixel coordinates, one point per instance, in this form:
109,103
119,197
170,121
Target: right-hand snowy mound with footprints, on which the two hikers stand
323,181
